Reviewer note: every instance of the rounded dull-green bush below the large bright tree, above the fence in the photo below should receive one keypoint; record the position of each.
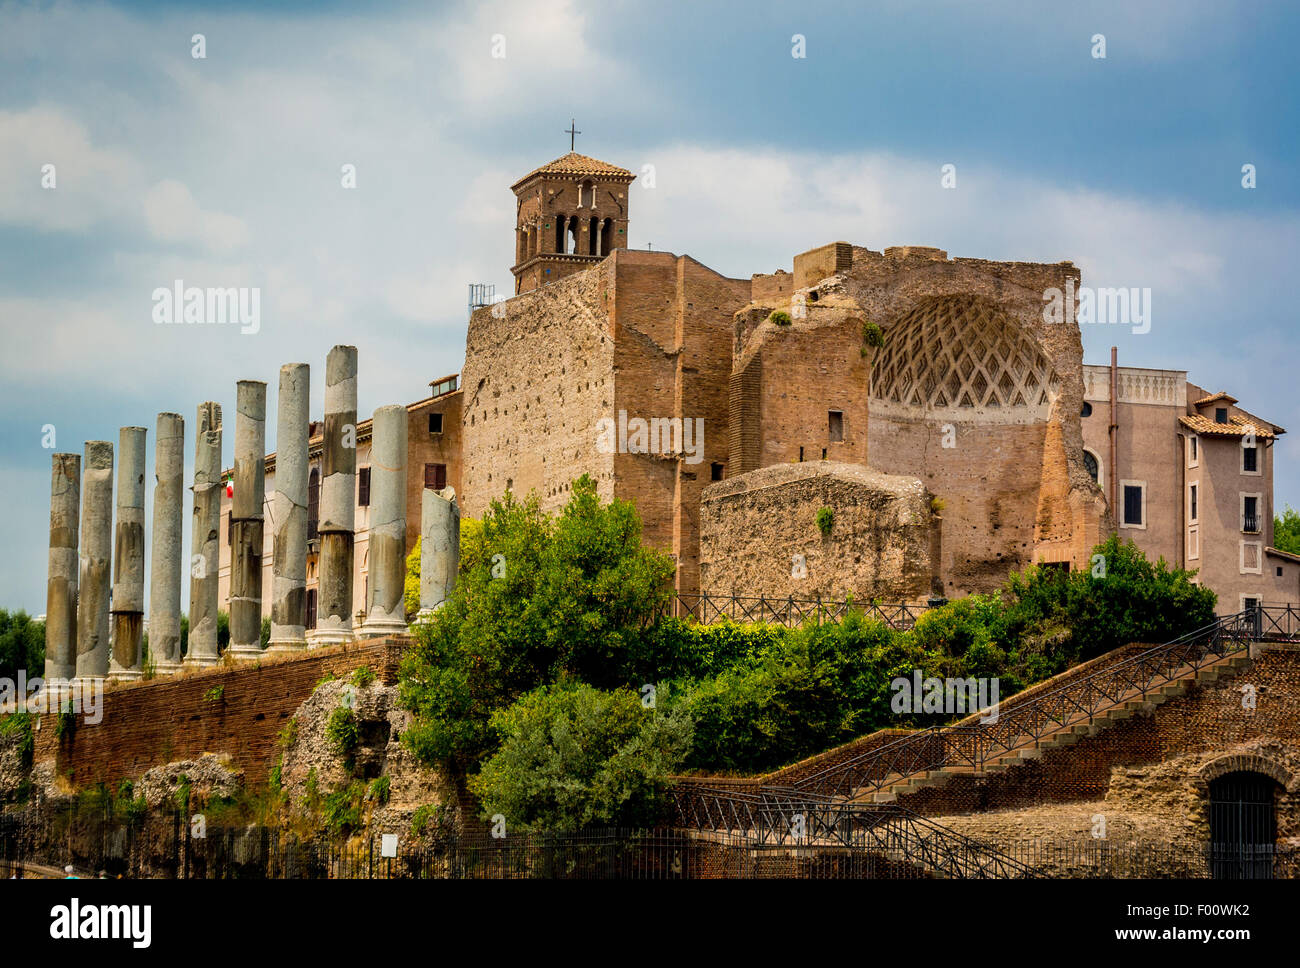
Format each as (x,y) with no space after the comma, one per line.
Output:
(574,756)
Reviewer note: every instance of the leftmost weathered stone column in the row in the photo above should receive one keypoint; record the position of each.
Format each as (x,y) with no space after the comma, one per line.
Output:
(62,585)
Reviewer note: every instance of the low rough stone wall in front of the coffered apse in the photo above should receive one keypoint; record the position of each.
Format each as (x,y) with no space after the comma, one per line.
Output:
(879,545)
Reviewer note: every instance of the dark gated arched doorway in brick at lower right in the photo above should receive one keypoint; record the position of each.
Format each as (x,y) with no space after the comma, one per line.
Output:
(1243,826)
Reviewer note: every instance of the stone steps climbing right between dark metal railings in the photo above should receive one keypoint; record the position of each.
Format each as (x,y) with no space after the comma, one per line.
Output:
(1028,748)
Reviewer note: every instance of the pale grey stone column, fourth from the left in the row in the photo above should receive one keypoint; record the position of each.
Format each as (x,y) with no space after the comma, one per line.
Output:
(166,548)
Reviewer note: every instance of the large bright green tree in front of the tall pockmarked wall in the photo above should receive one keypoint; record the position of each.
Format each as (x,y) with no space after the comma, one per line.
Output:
(536,598)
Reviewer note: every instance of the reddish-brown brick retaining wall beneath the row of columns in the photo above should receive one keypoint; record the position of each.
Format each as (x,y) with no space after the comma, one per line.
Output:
(158,722)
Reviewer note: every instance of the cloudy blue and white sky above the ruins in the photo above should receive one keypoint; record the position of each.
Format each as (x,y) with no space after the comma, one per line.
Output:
(228,171)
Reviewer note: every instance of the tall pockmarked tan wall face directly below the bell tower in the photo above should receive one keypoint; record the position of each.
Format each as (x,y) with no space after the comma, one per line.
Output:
(539,376)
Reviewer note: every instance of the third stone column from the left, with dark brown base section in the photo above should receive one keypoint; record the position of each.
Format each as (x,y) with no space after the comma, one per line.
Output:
(128,606)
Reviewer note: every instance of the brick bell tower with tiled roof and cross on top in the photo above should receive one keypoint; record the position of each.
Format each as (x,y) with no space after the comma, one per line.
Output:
(570,215)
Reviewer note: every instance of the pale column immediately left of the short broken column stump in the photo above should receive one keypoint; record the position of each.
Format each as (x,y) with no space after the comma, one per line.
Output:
(385,613)
